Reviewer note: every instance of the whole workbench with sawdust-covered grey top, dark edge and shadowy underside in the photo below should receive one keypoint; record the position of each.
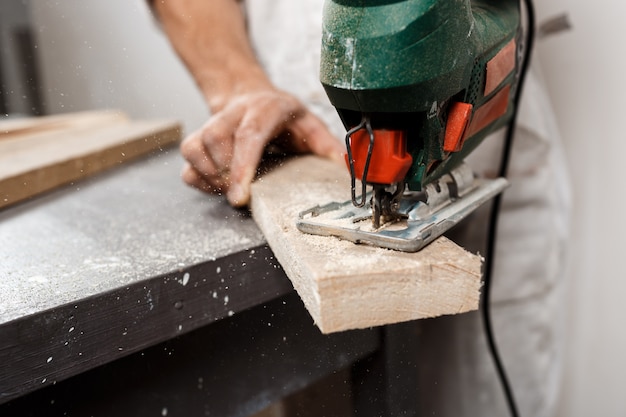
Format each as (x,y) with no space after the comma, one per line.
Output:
(130,294)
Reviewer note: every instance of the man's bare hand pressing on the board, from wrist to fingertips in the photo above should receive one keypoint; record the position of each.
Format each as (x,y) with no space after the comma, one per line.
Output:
(224,154)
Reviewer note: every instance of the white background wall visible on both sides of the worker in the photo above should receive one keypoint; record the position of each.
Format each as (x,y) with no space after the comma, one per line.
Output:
(110,54)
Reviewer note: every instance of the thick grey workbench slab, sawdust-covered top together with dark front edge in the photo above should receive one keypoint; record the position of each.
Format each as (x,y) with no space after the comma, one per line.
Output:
(111,265)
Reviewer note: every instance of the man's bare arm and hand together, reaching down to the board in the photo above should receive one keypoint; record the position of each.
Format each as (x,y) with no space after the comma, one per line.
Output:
(247,110)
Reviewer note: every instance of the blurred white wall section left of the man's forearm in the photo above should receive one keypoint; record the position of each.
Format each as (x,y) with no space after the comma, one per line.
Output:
(111,54)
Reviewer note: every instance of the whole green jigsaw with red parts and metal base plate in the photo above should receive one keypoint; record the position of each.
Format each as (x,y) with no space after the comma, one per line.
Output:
(418,84)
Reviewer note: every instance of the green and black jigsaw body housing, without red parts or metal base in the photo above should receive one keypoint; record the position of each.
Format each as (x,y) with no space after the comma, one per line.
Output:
(403,63)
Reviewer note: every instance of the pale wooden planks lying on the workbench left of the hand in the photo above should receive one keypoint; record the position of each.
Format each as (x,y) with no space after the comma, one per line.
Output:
(45,156)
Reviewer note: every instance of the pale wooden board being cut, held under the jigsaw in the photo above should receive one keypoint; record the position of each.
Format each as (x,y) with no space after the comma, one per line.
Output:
(348,286)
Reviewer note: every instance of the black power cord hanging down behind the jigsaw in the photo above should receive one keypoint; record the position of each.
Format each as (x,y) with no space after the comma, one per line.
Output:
(495,212)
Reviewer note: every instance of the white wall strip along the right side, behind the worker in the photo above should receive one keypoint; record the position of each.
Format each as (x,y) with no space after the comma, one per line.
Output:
(585,70)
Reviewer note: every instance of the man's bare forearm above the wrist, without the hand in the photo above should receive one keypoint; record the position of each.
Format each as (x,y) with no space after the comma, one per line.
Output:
(210,37)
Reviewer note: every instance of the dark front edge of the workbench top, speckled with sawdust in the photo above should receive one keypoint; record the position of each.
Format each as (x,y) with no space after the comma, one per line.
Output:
(55,344)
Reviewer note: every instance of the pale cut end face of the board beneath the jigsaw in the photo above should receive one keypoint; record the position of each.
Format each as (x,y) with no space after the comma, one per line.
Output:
(420,299)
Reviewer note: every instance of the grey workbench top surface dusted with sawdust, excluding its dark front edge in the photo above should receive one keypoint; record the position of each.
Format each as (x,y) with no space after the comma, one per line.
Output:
(124,226)
